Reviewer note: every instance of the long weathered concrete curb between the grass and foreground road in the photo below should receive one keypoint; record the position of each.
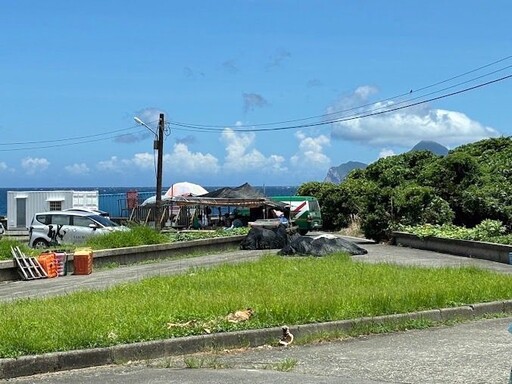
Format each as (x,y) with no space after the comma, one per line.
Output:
(61,361)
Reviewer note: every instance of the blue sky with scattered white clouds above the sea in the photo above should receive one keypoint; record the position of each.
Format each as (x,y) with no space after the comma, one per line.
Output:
(249,89)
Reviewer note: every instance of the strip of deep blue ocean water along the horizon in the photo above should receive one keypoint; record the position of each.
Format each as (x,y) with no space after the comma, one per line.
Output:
(266,190)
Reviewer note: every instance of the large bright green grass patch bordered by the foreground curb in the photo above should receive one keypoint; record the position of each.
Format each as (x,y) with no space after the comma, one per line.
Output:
(280,290)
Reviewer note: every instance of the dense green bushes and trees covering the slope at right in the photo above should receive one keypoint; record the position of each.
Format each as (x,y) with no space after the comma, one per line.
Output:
(471,184)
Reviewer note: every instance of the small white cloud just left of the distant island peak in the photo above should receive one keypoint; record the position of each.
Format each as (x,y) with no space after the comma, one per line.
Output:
(311,152)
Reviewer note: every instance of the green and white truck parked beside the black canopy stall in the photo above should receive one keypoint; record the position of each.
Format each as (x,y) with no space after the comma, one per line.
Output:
(304,212)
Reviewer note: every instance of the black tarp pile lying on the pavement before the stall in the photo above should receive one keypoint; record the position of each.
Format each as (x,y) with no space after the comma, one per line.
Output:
(291,243)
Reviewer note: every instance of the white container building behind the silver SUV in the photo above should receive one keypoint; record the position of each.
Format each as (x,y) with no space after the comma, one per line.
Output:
(22,205)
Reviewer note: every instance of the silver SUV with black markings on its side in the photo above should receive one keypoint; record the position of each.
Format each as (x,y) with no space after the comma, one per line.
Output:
(71,227)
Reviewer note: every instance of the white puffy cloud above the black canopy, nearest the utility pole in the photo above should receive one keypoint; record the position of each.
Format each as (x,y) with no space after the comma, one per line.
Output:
(240,157)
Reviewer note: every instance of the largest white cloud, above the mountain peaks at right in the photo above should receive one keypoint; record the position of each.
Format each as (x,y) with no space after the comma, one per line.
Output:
(407,126)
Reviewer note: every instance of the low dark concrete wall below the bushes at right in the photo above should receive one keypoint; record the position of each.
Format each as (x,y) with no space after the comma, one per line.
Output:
(475,249)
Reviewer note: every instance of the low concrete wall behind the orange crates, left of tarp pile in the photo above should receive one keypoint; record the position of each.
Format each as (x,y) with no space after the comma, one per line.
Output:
(130,255)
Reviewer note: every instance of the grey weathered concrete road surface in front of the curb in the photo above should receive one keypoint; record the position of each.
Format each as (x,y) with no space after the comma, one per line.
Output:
(473,352)
